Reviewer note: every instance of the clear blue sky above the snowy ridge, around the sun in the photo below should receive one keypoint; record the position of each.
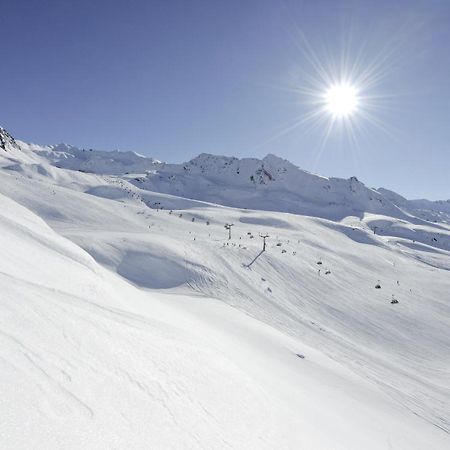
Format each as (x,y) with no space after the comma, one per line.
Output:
(175,78)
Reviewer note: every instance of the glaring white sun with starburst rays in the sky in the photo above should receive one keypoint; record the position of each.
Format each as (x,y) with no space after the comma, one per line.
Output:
(339,92)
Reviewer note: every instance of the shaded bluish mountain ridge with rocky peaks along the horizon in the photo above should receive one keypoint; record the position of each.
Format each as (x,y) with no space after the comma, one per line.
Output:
(269,184)
